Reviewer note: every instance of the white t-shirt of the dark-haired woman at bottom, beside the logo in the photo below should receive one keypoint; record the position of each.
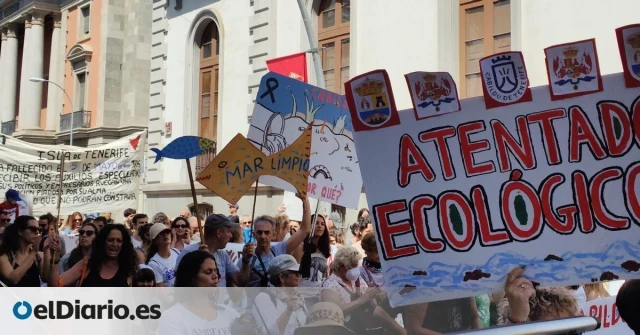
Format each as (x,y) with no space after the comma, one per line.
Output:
(178,320)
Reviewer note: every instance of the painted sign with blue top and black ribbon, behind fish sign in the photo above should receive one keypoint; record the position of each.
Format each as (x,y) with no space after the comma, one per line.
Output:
(284,108)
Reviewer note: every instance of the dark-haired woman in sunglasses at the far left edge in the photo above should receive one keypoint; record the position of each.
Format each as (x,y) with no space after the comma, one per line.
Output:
(21,265)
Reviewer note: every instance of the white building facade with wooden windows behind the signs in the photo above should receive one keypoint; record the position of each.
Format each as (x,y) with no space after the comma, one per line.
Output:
(208,58)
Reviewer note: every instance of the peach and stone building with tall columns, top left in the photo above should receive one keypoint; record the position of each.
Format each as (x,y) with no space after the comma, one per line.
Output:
(92,58)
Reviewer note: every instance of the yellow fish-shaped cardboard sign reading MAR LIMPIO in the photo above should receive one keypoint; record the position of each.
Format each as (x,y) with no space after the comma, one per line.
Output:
(239,165)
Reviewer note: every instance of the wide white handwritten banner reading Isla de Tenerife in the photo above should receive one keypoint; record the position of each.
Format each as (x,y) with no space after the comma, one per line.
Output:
(98,179)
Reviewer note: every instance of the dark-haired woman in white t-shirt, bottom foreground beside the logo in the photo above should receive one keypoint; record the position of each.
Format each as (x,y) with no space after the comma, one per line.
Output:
(195,311)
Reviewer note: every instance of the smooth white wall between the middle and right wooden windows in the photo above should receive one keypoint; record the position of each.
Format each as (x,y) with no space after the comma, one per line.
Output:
(400,39)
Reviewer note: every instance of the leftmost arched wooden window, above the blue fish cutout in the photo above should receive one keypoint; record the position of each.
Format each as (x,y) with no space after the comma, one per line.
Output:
(209,73)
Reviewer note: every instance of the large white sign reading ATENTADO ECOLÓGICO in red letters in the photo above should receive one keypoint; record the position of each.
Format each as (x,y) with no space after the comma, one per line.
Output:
(459,201)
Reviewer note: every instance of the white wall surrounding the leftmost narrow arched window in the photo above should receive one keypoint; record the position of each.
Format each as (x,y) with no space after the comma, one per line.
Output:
(233,21)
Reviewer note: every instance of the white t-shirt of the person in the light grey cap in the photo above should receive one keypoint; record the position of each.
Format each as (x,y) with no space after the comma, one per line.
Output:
(266,315)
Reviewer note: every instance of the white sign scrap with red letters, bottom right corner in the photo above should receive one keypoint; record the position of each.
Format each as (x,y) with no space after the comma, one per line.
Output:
(605,310)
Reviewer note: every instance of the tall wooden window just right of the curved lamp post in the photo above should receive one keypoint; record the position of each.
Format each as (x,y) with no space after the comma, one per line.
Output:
(334,18)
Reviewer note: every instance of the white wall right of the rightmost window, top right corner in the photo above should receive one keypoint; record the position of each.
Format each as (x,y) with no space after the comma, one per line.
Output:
(550,22)
